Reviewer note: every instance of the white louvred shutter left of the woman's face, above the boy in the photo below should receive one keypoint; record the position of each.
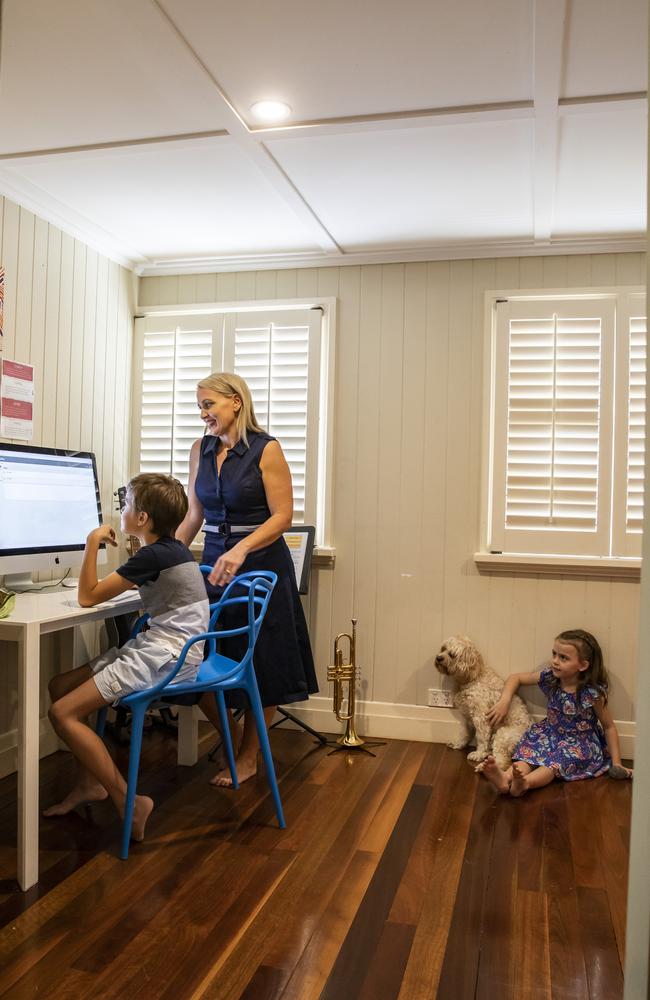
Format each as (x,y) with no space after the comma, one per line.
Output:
(175,354)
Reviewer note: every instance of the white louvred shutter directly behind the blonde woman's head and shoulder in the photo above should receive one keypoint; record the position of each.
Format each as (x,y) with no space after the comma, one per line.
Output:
(277,354)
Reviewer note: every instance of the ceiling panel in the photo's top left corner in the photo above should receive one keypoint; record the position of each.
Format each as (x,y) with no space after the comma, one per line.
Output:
(86,71)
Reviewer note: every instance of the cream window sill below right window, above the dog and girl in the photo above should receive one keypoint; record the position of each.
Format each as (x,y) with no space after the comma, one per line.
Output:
(508,564)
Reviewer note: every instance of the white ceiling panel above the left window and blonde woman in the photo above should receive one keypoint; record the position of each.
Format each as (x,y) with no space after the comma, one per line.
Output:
(178,200)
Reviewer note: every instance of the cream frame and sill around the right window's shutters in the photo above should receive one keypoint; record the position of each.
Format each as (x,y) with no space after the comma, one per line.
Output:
(490,558)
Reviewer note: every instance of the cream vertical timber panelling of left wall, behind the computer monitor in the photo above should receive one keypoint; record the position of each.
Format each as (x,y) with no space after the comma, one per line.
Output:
(69,312)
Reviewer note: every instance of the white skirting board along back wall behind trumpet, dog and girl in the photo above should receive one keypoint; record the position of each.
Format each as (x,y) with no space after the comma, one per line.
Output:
(408,722)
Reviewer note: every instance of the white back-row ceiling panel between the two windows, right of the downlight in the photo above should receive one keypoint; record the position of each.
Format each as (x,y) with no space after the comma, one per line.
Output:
(397,188)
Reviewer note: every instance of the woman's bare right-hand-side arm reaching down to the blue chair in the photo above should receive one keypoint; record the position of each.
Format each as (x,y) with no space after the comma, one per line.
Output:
(279,496)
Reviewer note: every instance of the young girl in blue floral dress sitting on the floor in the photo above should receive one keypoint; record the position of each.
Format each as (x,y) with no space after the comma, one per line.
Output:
(578,738)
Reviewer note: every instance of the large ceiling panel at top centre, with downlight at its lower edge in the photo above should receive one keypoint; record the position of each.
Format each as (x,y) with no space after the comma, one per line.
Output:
(330,60)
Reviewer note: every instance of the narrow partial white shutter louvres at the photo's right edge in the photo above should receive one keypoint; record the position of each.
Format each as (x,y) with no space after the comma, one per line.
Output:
(636,423)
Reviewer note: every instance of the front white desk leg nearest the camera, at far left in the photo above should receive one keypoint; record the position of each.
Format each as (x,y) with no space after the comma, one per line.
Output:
(28,755)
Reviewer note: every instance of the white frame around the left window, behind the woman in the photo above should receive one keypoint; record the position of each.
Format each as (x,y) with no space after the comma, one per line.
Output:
(321,436)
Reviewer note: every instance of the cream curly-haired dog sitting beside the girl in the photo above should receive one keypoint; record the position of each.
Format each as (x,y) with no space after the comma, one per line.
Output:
(479,688)
